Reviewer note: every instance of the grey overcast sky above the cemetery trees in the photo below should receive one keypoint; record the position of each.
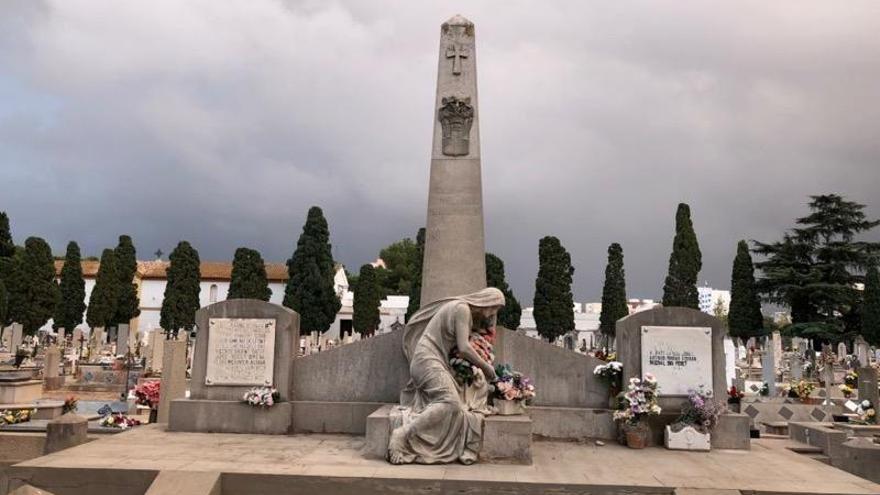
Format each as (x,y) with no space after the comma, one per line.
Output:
(222,122)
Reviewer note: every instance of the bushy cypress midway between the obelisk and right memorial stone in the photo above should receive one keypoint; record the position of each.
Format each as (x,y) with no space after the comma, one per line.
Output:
(554,303)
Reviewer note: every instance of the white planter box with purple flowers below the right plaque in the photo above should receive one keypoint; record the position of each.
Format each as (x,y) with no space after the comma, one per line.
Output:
(691,431)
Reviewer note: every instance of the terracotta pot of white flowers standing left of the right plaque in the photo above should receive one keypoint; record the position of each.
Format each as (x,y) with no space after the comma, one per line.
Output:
(634,406)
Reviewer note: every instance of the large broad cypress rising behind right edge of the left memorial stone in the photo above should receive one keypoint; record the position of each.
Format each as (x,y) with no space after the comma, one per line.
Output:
(310,290)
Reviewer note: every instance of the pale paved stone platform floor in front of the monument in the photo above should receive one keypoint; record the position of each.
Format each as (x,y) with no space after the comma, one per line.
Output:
(768,467)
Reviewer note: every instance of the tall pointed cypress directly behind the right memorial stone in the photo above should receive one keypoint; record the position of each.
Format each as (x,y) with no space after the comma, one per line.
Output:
(685,263)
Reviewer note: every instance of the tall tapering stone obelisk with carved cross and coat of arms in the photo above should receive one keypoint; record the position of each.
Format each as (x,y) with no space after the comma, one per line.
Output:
(455,259)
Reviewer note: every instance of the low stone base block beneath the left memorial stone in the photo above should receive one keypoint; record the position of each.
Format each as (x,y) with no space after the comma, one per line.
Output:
(216,416)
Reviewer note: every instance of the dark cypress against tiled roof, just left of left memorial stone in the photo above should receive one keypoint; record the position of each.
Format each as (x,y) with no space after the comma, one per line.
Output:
(181,299)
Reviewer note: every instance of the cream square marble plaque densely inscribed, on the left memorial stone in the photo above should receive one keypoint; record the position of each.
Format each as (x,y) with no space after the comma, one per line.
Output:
(241,351)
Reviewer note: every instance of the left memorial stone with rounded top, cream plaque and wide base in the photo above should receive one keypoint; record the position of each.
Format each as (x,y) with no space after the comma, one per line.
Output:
(240,344)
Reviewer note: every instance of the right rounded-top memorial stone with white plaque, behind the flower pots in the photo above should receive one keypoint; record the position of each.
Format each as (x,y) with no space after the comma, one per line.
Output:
(684,349)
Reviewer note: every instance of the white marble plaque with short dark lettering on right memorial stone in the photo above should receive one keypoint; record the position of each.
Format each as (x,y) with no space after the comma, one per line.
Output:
(680,358)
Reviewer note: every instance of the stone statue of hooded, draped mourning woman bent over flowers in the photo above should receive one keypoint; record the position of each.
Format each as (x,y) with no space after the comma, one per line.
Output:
(440,420)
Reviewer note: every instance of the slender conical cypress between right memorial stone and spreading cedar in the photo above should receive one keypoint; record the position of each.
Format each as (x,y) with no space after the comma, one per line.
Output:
(744,320)
